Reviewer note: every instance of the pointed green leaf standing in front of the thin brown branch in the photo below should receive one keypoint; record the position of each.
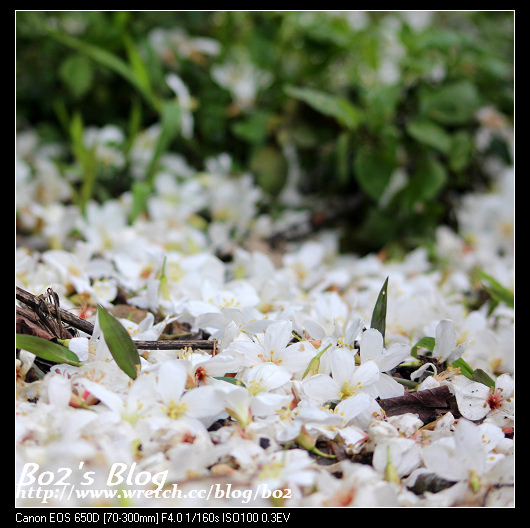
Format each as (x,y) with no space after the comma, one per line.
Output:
(120,344)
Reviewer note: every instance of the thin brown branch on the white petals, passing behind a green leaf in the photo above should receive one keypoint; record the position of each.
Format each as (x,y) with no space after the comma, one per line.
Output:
(33,302)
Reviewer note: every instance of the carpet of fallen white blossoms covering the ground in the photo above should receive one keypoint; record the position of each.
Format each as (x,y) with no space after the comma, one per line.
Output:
(290,400)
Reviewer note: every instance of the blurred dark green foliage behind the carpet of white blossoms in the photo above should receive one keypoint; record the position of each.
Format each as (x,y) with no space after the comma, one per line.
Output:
(361,96)
